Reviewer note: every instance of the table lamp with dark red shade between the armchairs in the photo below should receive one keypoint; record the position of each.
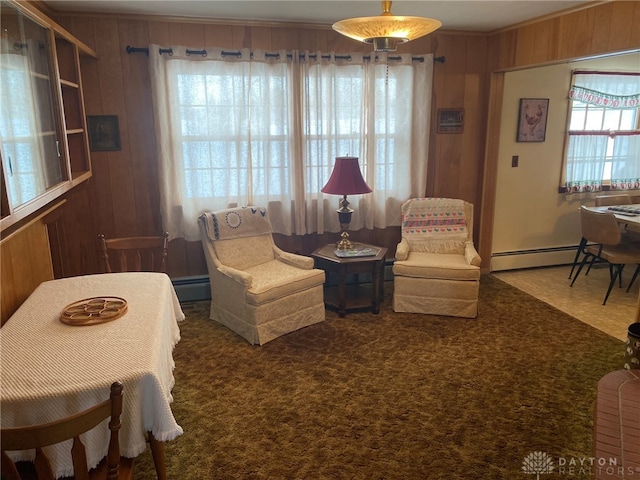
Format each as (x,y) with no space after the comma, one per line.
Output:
(346,179)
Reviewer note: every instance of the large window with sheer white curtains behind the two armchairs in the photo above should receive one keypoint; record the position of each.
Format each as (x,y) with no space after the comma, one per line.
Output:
(258,128)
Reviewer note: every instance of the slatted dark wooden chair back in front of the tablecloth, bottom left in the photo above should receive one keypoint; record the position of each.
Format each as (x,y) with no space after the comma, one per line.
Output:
(39,436)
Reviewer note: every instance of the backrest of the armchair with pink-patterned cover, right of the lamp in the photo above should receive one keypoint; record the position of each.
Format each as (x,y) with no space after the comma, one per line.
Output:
(441,225)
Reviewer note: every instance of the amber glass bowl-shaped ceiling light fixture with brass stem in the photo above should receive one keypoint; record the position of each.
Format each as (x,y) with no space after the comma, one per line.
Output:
(386,31)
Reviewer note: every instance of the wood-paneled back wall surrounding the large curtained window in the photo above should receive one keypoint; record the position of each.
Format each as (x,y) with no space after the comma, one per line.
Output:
(122,197)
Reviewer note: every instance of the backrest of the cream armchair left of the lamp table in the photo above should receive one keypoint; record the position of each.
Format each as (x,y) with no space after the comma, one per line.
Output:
(239,237)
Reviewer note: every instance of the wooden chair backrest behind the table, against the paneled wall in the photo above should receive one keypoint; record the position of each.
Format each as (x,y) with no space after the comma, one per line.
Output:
(134,254)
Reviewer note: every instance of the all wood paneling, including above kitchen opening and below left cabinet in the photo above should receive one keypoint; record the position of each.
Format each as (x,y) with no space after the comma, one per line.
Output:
(122,196)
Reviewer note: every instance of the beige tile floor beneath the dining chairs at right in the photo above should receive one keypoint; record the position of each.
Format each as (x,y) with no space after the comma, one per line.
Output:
(584,300)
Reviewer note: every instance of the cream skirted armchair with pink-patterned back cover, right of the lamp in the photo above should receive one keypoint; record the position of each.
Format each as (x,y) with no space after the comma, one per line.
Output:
(437,268)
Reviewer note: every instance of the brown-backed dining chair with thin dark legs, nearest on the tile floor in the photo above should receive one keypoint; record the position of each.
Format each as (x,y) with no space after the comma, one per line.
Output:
(604,242)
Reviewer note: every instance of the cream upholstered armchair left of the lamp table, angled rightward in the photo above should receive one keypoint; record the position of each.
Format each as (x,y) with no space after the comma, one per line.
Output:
(257,290)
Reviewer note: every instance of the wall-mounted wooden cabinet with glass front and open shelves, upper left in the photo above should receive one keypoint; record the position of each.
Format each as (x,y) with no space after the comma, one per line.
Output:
(55,75)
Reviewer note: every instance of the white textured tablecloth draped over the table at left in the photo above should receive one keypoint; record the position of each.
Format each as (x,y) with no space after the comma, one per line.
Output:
(50,370)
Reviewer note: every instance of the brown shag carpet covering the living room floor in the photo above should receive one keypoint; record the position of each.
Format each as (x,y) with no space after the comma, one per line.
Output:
(388,396)
